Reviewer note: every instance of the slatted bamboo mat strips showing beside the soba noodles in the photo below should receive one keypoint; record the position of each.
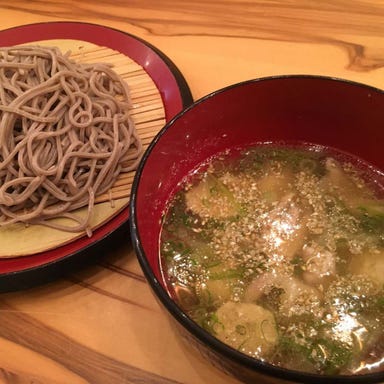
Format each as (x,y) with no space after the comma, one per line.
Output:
(148,113)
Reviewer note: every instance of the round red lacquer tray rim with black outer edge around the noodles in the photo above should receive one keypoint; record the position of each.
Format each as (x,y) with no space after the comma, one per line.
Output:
(22,272)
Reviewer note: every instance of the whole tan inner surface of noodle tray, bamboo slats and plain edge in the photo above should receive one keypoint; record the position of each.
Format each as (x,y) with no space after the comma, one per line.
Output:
(148,115)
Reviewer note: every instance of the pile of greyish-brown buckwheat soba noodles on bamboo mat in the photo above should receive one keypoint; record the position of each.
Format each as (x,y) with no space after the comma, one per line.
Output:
(65,136)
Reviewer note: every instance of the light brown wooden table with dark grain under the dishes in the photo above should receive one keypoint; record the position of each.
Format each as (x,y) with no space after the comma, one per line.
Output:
(101,324)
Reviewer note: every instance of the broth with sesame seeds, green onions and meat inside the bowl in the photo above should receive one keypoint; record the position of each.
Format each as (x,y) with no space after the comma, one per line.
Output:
(279,253)
